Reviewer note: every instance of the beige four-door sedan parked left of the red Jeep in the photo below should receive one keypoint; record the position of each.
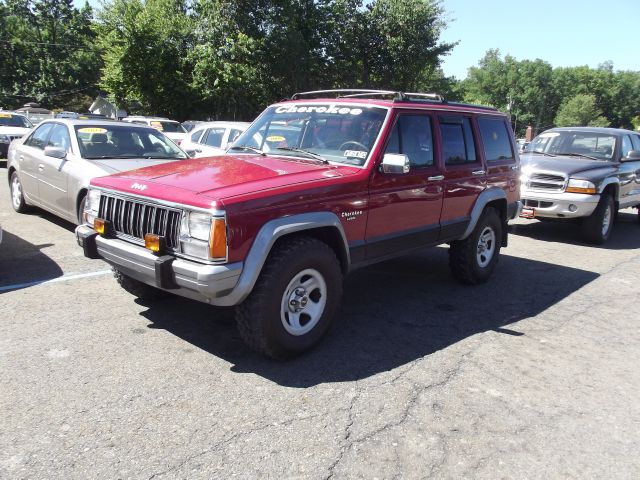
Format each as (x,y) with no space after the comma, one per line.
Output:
(51,167)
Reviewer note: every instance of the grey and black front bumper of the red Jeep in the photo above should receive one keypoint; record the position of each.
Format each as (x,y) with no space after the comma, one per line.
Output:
(212,284)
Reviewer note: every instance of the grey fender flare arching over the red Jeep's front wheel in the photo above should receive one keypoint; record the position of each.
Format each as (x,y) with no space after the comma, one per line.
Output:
(267,236)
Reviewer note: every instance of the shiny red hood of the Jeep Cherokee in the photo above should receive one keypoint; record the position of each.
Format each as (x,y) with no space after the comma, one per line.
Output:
(204,181)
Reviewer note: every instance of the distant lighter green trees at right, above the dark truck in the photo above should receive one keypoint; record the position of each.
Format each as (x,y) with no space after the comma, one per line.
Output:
(536,94)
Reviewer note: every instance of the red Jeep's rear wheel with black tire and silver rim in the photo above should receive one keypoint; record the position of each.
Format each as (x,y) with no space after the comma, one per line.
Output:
(473,259)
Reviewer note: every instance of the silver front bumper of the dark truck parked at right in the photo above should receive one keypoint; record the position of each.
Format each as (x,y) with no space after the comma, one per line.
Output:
(559,205)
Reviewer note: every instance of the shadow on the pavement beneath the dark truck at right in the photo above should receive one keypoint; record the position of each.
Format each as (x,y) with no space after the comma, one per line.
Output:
(625,234)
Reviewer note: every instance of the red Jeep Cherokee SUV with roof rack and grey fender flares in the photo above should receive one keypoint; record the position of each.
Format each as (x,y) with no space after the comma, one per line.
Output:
(317,186)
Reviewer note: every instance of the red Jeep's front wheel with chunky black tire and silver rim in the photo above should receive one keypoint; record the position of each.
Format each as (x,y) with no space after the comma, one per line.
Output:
(294,300)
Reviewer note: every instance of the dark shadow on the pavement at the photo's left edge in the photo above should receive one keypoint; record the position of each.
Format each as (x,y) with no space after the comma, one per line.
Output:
(23,264)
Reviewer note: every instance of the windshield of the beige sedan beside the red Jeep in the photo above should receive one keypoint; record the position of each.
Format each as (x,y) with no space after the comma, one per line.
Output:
(125,141)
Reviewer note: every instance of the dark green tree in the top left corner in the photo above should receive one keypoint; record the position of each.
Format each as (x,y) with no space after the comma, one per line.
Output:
(47,52)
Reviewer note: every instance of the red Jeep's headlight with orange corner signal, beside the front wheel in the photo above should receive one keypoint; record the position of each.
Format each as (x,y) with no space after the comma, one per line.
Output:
(204,236)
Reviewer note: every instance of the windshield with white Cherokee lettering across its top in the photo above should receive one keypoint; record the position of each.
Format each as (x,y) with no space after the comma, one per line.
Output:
(334,132)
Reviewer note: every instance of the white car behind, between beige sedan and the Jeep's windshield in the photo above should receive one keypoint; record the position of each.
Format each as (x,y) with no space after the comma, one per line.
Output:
(212,138)
